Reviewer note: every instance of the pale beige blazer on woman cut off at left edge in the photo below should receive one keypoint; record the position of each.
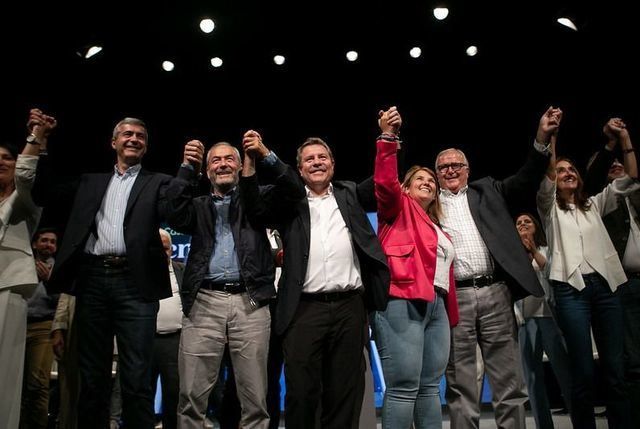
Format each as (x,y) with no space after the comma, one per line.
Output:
(19,217)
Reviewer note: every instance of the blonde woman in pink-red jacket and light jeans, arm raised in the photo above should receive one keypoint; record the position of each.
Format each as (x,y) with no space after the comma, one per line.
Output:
(413,333)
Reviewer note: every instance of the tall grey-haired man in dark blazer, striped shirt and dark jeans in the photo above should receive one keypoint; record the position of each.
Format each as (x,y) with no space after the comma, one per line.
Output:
(111,258)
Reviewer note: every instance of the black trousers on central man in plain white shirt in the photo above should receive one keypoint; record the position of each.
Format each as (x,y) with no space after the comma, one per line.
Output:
(324,368)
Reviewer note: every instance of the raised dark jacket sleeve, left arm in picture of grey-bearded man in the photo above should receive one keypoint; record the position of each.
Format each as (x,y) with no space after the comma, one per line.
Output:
(178,201)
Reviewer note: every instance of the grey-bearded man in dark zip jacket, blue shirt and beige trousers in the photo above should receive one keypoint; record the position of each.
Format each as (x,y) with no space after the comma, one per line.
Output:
(227,284)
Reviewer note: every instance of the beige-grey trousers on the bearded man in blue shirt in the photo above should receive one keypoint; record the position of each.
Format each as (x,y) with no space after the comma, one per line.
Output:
(215,319)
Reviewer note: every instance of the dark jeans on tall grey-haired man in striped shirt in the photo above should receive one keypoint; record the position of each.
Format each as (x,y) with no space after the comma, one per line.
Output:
(108,304)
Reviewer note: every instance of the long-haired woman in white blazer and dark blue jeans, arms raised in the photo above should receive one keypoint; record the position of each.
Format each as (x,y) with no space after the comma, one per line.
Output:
(585,272)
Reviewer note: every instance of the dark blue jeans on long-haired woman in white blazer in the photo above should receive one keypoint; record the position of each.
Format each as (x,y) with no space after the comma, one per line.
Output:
(597,308)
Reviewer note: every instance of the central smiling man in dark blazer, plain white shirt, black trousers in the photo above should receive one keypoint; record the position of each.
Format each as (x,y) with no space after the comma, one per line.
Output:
(334,271)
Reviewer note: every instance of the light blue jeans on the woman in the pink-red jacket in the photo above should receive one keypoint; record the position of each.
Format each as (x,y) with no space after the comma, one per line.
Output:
(413,342)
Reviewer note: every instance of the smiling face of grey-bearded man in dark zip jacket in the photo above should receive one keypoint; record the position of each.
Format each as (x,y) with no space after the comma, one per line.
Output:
(223,168)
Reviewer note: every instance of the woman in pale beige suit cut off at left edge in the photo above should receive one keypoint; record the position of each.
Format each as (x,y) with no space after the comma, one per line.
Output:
(19,217)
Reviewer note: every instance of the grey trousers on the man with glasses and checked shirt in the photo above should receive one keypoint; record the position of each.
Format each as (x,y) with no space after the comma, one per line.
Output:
(487,320)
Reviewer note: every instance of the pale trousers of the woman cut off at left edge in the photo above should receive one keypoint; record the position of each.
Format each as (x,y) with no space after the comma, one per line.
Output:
(13,337)
